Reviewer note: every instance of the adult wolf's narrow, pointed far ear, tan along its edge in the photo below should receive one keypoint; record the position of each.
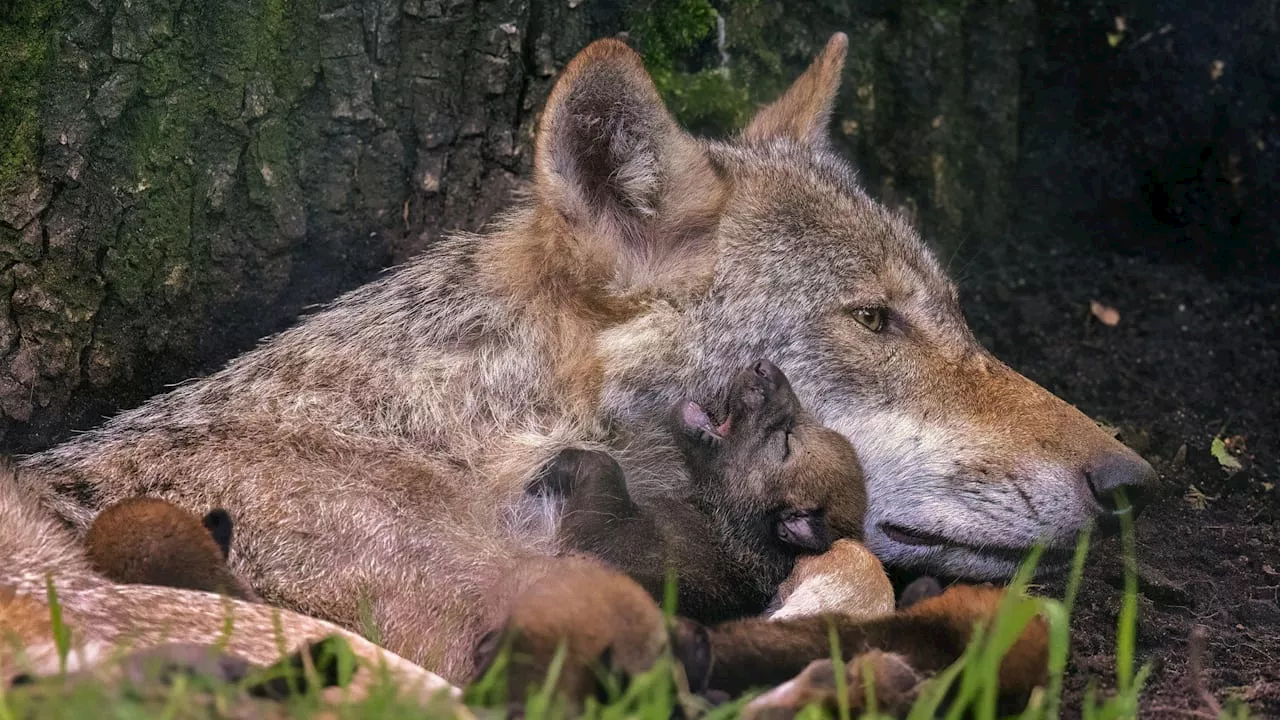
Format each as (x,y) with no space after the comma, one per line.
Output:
(804,110)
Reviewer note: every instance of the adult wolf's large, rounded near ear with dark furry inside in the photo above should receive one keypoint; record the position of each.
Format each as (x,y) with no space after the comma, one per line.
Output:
(611,161)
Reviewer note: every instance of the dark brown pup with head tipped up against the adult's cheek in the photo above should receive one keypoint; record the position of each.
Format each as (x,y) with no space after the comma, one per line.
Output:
(767,485)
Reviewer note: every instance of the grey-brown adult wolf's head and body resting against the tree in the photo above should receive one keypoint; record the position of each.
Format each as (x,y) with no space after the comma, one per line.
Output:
(381,449)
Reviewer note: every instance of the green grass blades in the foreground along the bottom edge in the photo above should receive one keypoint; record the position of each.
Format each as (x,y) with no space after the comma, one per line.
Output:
(968,689)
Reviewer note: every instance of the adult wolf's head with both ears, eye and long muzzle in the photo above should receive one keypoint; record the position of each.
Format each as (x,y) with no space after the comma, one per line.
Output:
(766,247)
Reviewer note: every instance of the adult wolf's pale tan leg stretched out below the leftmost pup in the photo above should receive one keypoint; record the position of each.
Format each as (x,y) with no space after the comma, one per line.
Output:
(39,558)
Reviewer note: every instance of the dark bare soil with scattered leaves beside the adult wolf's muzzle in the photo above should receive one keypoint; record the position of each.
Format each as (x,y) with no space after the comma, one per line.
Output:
(1195,356)
